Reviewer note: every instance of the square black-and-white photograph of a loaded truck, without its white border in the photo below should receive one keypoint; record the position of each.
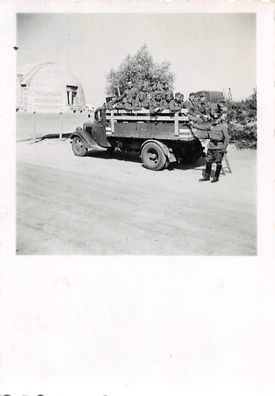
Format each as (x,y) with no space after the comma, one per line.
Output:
(136,134)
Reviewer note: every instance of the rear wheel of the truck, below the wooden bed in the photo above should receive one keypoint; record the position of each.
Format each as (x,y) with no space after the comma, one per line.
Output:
(153,157)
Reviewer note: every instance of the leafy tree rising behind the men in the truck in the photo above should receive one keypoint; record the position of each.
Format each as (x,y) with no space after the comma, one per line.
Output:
(138,68)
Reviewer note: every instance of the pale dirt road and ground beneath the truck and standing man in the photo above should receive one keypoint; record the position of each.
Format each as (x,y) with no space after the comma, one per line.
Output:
(104,204)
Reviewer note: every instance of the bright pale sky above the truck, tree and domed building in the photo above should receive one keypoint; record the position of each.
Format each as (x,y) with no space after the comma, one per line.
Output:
(206,51)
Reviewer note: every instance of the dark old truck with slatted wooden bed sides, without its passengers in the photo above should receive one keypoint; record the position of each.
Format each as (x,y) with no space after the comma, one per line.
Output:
(159,138)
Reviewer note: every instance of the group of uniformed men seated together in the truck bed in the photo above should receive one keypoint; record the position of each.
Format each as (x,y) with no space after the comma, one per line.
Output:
(156,98)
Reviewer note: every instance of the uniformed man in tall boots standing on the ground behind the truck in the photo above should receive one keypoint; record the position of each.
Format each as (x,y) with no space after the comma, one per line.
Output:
(219,139)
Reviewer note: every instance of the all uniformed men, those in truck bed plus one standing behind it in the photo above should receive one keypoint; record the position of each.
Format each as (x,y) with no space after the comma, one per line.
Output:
(203,116)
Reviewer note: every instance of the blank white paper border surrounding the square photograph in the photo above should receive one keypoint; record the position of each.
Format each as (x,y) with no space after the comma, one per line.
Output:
(138,325)
